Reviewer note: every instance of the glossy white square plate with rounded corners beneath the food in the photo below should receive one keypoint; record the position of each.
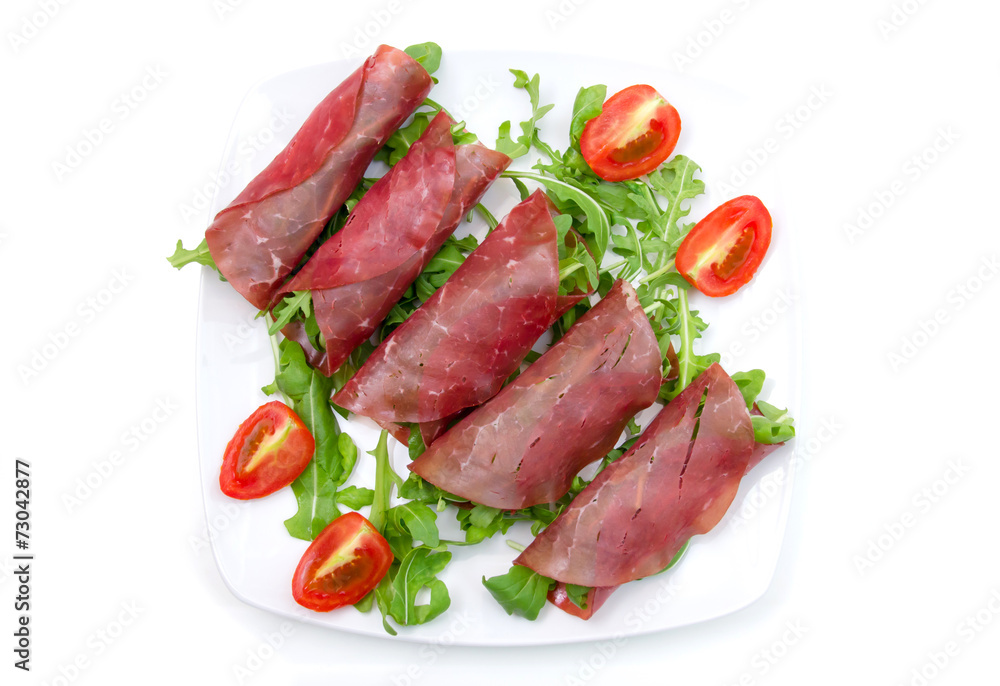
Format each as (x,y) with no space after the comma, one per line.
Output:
(722,571)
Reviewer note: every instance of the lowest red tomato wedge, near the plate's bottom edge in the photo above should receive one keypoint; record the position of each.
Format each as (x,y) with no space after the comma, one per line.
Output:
(340,567)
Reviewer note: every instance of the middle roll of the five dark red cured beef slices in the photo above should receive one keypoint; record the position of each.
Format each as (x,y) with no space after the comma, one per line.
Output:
(459,347)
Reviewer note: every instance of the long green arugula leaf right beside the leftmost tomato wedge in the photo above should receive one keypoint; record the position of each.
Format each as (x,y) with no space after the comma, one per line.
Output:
(333,461)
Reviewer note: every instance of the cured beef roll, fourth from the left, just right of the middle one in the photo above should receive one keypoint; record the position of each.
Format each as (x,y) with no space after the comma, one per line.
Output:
(524,446)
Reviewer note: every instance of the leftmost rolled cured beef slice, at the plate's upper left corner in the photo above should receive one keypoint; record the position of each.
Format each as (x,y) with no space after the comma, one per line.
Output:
(262,235)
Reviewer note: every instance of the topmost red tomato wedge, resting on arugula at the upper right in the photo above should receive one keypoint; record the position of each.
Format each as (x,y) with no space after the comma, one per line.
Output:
(635,132)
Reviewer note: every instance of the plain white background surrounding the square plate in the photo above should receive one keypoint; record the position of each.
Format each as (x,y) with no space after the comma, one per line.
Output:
(124,589)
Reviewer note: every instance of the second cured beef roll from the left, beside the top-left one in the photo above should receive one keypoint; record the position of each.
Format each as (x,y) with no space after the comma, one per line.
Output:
(393,232)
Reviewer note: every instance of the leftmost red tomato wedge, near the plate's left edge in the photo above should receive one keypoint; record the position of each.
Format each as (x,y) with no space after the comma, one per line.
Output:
(269,451)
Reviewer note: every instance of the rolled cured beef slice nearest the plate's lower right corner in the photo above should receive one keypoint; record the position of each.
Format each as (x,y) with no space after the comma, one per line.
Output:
(678,480)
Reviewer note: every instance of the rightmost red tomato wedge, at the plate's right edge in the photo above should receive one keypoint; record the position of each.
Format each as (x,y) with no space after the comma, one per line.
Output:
(722,252)
